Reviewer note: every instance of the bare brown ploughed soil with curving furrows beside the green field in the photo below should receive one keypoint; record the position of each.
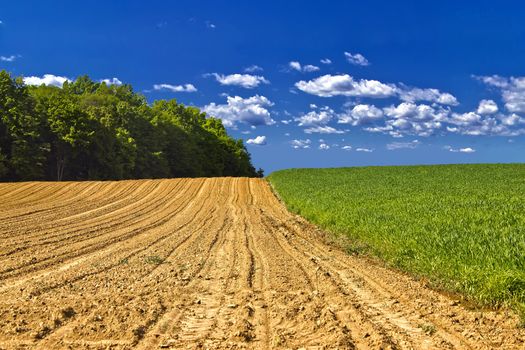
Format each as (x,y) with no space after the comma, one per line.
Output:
(205,263)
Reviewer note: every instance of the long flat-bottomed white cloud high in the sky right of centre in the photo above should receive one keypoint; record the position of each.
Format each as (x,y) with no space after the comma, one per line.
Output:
(345,85)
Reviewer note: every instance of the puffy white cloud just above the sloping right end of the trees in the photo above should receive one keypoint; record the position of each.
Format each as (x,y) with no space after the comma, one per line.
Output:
(252,110)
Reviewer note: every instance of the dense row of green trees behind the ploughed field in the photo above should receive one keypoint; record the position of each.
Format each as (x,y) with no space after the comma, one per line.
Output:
(88,130)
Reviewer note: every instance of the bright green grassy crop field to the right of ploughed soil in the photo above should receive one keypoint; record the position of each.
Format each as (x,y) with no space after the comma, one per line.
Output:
(460,226)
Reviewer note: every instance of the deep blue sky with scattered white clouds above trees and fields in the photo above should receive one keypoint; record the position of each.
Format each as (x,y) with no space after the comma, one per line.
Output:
(306,84)
